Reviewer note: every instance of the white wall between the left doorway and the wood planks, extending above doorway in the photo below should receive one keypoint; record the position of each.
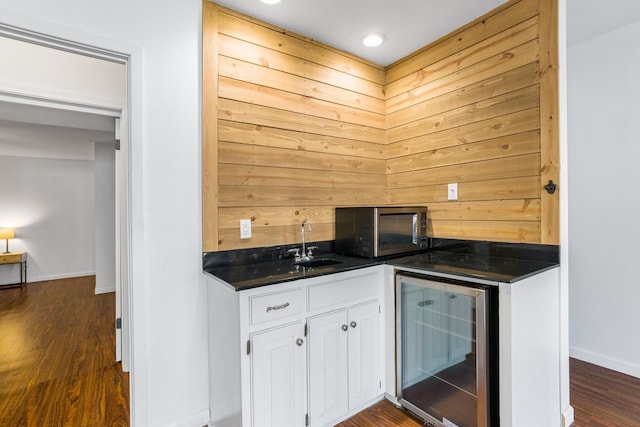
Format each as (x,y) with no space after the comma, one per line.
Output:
(169,352)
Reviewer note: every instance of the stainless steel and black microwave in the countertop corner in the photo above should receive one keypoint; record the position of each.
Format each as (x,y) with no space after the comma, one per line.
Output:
(373,232)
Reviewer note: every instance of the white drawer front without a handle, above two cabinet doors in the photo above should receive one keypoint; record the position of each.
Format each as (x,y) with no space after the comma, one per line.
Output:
(343,291)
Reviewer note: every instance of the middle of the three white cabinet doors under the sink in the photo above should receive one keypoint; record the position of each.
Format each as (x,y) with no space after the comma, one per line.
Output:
(328,387)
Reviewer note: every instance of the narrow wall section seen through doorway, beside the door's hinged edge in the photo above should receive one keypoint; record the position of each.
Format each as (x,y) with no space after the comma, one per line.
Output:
(105,217)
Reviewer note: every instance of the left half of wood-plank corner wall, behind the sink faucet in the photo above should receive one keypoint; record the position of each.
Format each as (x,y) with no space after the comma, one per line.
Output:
(300,130)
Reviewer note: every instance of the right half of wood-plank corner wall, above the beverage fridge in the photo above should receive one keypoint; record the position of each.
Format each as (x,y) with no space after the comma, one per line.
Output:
(467,109)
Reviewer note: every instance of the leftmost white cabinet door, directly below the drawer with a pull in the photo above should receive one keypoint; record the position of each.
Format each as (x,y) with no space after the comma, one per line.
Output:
(278,377)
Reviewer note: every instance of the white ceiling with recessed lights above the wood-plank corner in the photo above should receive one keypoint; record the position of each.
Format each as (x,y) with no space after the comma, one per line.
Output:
(408,24)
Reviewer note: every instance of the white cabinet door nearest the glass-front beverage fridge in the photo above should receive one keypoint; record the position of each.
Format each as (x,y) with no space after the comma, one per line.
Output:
(364,353)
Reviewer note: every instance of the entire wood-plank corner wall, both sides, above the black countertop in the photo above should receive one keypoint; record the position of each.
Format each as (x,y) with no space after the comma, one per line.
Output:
(293,128)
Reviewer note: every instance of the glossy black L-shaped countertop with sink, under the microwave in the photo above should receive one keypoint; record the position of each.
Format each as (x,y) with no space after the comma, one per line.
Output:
(246,269)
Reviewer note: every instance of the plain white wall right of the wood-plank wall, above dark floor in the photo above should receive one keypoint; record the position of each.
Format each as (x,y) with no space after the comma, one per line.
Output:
(604,155)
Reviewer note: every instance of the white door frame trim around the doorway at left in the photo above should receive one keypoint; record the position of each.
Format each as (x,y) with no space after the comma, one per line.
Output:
(46,34)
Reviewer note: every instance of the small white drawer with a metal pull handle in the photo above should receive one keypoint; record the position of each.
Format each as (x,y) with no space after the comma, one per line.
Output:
(276,305)
